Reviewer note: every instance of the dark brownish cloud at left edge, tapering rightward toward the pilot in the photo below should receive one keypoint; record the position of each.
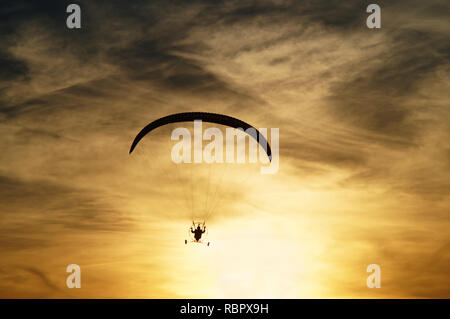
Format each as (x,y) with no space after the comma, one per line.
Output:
(56,204)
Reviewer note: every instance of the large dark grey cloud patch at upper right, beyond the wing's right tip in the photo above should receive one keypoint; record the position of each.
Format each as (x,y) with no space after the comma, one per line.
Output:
(377,98)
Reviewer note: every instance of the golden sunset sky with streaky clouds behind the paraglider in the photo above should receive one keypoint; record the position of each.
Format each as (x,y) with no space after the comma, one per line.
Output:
(364,174)
